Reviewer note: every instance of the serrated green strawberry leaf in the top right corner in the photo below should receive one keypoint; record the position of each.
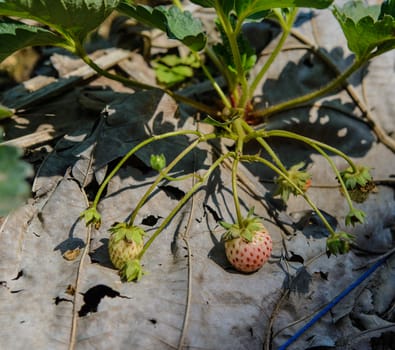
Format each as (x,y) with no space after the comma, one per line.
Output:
(369,30)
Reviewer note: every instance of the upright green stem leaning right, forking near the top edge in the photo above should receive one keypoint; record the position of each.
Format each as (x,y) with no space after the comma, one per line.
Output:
(286,26)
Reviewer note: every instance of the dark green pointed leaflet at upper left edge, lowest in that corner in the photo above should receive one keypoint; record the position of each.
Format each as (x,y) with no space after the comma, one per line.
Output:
(15,36)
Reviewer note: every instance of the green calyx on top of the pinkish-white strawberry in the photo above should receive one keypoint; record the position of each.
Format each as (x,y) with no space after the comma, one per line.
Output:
(246,229)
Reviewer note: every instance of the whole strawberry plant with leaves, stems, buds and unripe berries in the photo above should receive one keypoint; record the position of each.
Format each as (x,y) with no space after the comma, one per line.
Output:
(68,23)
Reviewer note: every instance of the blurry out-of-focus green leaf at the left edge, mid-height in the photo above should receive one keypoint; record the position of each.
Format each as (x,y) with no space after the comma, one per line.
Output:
(13,172)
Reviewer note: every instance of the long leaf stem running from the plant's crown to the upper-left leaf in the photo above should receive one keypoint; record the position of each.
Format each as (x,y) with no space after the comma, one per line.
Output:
(135,84)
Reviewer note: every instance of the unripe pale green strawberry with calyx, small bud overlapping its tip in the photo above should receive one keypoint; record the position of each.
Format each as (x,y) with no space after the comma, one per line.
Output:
(125,245)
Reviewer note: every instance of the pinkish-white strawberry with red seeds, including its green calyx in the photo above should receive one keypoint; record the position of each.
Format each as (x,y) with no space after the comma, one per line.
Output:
(247,246)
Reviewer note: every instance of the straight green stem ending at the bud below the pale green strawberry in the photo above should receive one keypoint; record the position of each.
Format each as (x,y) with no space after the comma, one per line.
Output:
(184,200)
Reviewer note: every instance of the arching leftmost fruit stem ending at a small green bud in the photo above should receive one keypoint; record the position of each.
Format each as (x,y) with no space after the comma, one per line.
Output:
(134,150)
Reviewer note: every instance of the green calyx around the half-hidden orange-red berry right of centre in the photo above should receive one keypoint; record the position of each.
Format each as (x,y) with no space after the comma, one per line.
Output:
(300,178)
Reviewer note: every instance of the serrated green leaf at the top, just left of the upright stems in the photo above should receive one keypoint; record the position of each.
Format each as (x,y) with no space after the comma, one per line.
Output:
(179,25)
